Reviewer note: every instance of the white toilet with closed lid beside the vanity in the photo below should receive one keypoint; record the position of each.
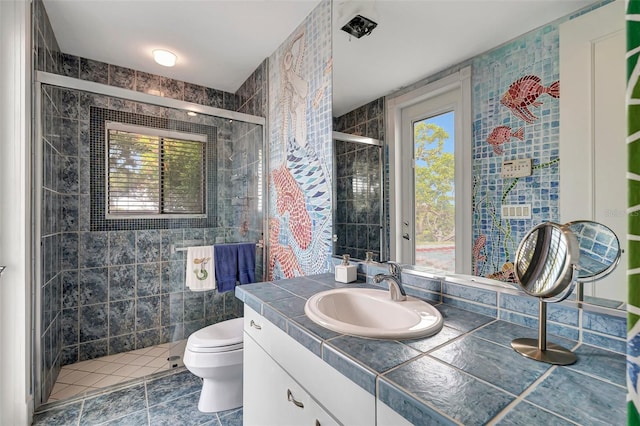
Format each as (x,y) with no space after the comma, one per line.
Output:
(214,353)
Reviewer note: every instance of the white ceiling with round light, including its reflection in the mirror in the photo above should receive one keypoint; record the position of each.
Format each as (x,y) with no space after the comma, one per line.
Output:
(219,43)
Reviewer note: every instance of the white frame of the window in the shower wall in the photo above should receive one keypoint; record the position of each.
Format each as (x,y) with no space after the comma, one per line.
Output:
(161,133)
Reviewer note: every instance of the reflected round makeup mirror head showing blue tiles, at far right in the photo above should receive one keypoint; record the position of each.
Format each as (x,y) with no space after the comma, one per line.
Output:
(600,249)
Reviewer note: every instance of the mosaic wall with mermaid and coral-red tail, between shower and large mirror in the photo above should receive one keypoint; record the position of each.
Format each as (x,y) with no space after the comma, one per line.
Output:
(300,150)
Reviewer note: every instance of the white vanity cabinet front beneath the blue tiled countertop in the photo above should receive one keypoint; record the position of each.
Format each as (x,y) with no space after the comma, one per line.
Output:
(286,384)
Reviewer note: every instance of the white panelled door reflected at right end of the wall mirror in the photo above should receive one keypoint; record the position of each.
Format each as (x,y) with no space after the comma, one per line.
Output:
(593,130)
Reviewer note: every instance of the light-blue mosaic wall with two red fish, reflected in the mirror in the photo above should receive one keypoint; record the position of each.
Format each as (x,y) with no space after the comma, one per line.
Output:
(503,131)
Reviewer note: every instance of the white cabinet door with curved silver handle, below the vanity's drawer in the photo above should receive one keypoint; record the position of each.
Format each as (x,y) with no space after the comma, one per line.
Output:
(272,397)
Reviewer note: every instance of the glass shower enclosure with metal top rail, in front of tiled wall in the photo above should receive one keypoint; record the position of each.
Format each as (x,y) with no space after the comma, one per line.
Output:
(111,286)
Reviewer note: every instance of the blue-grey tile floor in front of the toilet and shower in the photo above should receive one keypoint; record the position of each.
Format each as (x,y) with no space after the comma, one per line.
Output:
(170,399)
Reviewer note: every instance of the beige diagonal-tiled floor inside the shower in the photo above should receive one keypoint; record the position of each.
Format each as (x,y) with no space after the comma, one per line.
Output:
(88,376)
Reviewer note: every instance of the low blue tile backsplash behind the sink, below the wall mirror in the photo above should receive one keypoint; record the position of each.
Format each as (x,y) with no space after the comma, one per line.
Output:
(471,305)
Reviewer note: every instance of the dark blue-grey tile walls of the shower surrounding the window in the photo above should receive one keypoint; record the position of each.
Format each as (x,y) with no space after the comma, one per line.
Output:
(106,274)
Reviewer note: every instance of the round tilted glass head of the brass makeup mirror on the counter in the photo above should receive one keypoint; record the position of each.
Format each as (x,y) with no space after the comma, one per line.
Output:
(545,261)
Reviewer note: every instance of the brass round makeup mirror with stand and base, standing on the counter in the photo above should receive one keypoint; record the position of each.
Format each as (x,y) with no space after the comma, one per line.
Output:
(546,268)
